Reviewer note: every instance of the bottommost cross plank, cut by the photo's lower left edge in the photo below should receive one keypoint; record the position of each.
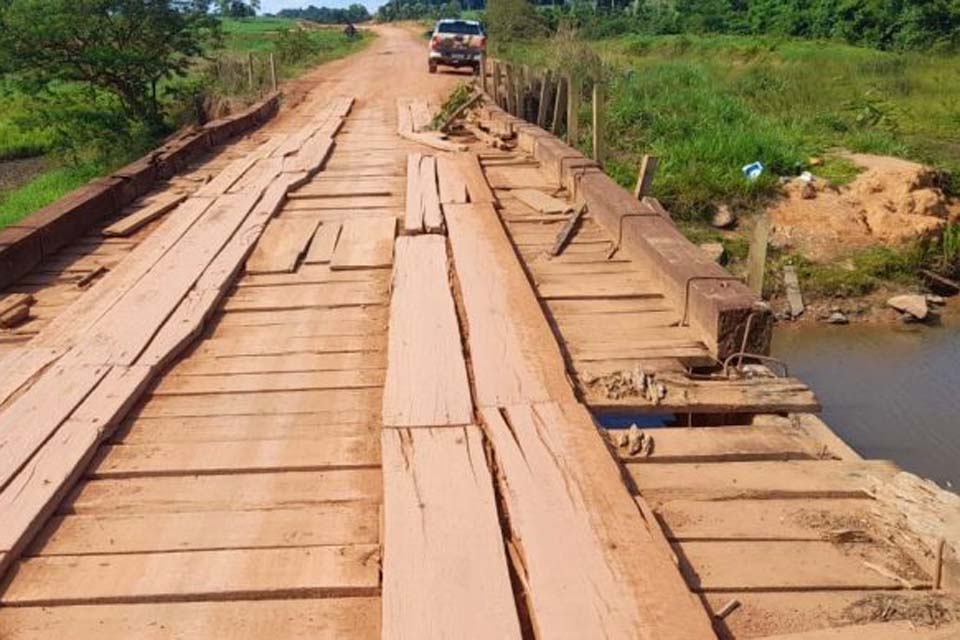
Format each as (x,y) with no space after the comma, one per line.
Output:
(307,619)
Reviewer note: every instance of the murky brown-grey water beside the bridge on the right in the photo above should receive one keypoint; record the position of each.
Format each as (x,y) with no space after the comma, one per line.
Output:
(889,391)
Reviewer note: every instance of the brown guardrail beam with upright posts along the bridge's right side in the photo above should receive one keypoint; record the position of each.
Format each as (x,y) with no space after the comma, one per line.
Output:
(729,316)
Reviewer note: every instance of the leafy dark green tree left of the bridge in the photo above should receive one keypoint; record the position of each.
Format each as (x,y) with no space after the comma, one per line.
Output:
(122,47)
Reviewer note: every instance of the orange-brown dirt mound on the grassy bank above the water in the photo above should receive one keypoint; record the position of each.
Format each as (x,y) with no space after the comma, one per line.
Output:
(893,202)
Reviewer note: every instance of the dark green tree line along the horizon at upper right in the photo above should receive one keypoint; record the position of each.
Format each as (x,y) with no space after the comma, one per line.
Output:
(880,24)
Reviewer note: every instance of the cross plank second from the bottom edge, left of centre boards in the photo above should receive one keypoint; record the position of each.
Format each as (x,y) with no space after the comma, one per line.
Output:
(225,574)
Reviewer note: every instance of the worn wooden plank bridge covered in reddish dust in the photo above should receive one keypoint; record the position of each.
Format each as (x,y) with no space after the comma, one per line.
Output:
(338,378)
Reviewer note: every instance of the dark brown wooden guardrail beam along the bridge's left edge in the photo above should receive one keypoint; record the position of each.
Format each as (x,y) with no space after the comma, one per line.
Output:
(25,244)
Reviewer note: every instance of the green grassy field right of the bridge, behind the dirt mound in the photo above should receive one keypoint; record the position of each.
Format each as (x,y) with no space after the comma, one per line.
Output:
(709,105)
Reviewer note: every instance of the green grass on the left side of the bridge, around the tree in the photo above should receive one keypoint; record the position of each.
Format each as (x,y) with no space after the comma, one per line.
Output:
(259,36)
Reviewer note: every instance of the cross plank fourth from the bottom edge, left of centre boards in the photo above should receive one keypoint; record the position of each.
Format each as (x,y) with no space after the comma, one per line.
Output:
(238,491)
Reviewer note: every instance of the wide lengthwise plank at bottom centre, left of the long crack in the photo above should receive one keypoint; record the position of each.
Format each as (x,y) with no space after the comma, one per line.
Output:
(445,570)
